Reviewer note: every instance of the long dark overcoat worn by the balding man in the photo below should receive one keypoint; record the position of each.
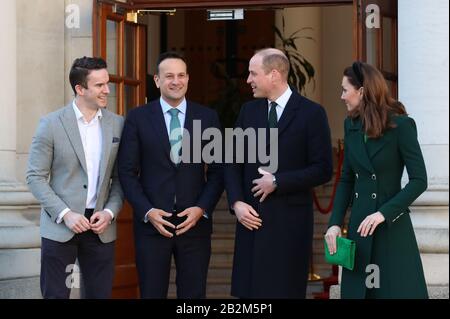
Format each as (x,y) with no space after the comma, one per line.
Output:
(273,261)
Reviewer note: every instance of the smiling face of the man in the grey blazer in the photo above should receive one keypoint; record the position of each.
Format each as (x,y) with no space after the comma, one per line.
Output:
(96,93)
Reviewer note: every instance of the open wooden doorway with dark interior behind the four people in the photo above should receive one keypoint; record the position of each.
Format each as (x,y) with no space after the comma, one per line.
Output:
(217,53)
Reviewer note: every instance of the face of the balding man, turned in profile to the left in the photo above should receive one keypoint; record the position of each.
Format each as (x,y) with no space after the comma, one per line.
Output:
(260,82)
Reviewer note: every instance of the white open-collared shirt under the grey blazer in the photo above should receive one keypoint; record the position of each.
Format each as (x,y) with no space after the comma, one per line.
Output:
(91,138)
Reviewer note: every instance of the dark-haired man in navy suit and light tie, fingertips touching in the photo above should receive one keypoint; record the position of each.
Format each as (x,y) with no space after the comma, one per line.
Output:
(172,194)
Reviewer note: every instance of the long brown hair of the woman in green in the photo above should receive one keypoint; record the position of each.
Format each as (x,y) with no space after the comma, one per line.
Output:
(377,105)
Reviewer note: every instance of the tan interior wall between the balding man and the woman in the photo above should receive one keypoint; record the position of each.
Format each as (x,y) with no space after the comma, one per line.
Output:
(329,53)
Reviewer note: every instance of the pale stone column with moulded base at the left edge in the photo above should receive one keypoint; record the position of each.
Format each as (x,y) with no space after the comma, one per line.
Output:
(19,232)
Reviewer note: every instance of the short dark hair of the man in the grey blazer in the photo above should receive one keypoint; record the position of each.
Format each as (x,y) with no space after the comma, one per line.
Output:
(81,68)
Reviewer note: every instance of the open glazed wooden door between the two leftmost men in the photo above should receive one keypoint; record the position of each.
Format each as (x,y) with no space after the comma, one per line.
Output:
(123,45)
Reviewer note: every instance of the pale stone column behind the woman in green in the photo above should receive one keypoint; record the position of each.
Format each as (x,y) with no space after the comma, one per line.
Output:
(423,88)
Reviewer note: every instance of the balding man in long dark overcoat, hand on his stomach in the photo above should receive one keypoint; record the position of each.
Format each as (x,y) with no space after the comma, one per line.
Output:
(274,210)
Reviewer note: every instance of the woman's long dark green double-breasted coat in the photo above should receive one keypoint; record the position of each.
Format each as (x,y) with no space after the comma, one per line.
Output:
(371,182)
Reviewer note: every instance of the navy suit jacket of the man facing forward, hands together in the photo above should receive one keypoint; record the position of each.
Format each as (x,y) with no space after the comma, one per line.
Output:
(151,180)
